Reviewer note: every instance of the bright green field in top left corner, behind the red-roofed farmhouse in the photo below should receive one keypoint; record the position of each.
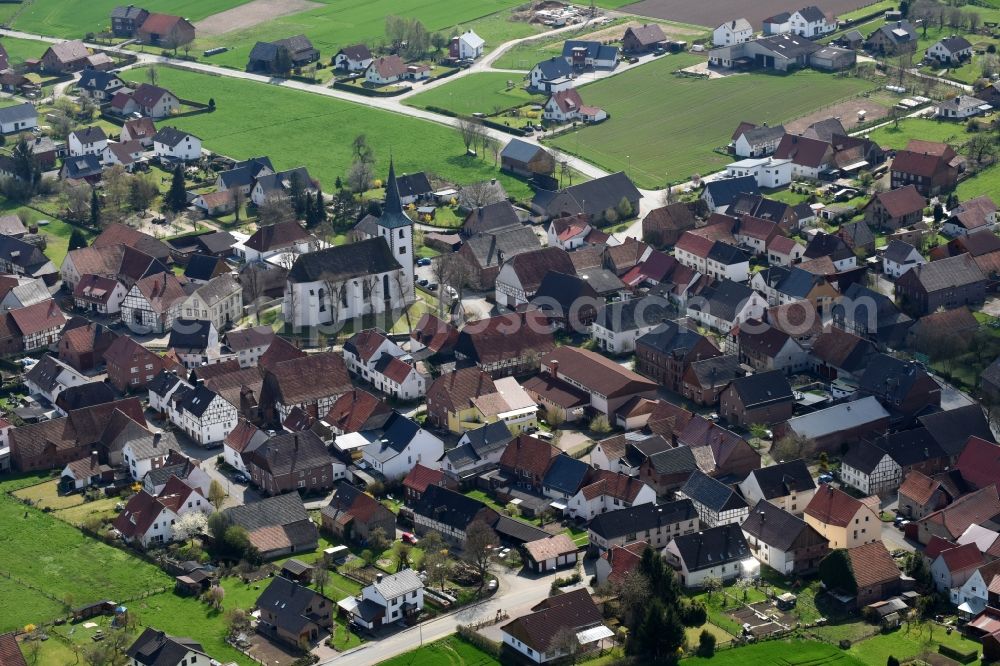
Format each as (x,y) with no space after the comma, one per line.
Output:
(74,19)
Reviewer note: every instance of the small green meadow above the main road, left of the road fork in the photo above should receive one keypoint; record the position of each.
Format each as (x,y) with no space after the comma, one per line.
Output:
(487,92)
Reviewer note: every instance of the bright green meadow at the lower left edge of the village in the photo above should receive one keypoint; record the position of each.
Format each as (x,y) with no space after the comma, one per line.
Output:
(64,563)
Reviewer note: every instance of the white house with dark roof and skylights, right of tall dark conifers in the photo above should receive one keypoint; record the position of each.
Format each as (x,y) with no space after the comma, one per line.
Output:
(720,552)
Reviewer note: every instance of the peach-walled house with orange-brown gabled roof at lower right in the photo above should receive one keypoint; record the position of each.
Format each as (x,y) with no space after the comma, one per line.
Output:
(845,521)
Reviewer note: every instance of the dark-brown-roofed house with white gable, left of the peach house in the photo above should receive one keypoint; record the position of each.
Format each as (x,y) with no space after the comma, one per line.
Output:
(782,541)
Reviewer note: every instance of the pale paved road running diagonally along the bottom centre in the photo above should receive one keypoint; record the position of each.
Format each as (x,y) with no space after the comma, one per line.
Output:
(516,595)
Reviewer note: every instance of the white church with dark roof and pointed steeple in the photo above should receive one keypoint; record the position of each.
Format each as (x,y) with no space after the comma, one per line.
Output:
(371,276)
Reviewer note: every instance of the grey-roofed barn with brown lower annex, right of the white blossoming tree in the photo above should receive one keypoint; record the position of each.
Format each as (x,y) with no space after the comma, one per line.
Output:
(276,526)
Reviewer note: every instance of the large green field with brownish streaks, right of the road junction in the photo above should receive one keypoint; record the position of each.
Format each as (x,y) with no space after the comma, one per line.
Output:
(665,128)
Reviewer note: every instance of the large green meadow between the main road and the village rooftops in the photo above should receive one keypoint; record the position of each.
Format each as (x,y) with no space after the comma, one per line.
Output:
(296,128)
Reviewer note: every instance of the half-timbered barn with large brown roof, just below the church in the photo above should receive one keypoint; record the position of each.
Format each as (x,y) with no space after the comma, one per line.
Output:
(311,383)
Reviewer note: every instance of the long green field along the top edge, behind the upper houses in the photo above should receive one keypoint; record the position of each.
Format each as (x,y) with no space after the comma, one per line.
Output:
(338,23)
